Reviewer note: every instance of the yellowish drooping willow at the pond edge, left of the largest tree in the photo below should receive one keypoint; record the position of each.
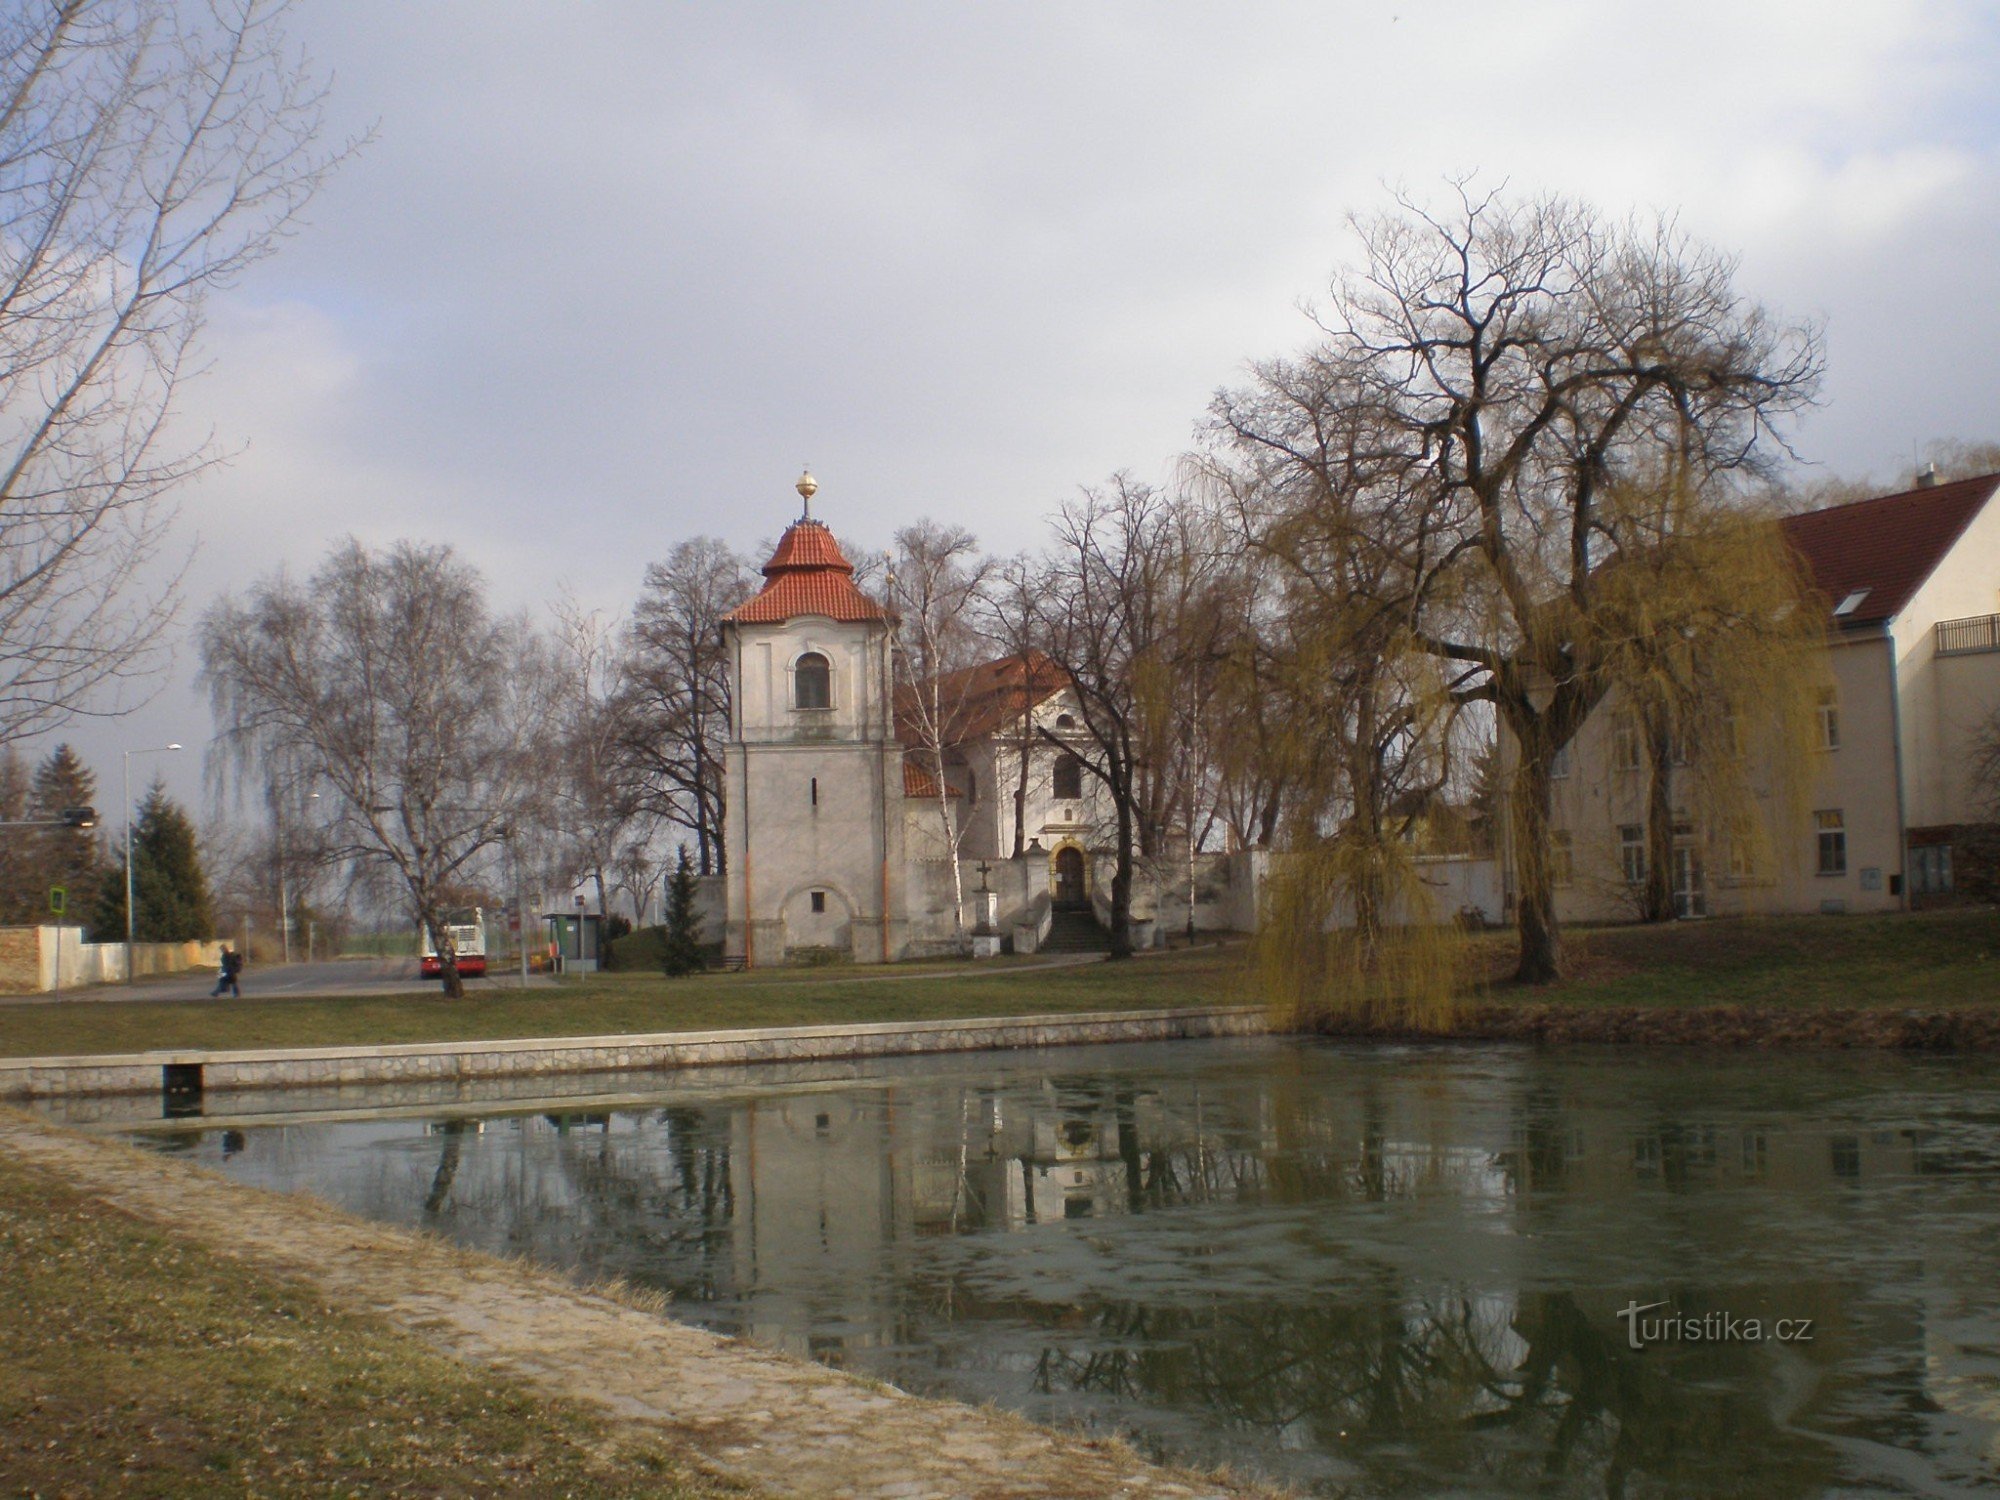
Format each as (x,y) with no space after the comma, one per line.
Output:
(1363,731)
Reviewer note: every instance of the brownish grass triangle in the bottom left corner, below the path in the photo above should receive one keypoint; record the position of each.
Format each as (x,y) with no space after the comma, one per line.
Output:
(133,1363)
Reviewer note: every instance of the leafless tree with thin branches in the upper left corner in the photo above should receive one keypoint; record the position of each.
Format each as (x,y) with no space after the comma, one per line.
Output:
(147,157)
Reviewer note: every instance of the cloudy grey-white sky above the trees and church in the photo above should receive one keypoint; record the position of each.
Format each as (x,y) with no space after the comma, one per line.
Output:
(613,273)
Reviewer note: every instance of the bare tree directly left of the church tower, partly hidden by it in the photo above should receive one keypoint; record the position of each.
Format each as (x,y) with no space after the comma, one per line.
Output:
(677,689)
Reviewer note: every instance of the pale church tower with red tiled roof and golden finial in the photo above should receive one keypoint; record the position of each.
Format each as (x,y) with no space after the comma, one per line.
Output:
(815,777)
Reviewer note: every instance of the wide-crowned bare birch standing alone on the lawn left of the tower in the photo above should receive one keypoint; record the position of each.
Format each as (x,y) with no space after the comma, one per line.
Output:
(387,681)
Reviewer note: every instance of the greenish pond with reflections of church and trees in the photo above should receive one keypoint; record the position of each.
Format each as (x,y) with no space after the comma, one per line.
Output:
(1361,1271)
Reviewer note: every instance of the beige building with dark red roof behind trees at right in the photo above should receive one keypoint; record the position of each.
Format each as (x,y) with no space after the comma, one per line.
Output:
(1913,587)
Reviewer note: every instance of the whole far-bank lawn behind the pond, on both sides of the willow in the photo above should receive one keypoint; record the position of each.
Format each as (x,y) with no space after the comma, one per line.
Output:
(1931,961)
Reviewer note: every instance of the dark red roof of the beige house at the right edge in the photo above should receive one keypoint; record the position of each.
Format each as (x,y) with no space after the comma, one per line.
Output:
(1885,549)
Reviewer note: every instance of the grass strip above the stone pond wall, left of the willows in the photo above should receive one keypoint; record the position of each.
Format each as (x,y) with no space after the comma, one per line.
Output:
(609,1005)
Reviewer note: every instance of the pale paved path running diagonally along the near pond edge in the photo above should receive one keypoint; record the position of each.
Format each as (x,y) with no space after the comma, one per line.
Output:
(783,1425)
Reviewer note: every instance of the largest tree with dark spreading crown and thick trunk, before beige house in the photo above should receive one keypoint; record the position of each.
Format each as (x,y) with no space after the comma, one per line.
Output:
(1523,359)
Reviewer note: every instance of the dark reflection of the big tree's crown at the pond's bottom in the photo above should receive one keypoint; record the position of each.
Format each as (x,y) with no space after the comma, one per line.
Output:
(1427,1393)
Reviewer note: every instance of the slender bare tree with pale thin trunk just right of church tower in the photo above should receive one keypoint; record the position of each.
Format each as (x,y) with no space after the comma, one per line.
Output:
(935,585)
